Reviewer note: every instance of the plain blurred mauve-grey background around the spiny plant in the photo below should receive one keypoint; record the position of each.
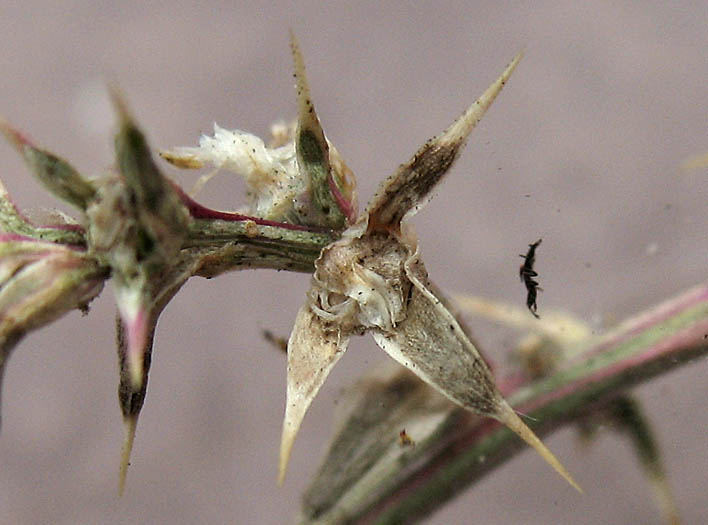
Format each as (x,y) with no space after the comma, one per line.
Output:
(582,149)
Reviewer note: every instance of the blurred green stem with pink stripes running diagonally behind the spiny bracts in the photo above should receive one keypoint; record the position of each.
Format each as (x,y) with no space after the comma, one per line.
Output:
(669,335)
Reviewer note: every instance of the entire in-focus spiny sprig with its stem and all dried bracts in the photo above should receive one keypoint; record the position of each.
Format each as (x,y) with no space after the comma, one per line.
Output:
(142,231)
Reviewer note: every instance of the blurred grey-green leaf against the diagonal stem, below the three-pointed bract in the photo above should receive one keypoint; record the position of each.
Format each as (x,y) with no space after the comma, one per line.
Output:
(367,448)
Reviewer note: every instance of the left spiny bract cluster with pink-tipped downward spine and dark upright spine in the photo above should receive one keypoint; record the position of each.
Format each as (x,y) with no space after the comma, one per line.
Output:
(137,226)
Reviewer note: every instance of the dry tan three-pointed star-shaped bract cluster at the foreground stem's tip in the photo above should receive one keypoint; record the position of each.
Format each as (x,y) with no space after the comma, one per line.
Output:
(373,280)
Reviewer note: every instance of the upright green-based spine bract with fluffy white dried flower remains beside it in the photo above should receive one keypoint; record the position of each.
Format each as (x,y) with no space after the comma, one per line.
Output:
(303,180)
